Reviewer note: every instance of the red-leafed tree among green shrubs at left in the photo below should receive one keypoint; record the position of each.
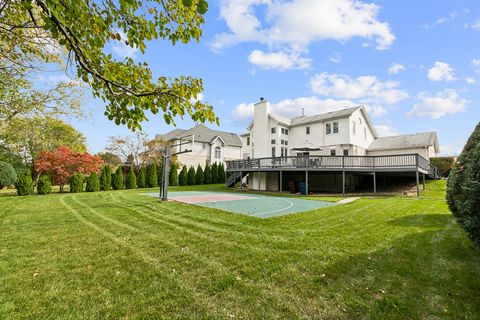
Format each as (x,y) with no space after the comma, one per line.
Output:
(62,163)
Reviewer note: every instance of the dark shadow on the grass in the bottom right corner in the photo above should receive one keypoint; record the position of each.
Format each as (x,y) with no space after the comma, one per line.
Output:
(432,274)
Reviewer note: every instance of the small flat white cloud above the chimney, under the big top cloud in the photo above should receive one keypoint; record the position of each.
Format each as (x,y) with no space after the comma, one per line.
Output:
(278,60)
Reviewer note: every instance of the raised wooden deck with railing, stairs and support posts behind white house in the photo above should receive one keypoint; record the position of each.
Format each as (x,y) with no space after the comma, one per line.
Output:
(401,163)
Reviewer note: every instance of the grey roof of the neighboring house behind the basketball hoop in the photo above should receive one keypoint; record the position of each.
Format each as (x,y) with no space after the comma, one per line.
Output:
(203,134)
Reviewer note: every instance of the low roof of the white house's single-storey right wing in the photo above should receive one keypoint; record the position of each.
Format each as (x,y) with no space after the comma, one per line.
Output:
(405,141)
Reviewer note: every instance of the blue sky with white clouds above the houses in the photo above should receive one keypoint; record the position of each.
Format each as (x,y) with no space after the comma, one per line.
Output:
(415,65)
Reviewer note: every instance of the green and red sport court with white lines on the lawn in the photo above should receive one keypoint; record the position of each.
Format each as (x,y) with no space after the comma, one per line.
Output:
(255,205)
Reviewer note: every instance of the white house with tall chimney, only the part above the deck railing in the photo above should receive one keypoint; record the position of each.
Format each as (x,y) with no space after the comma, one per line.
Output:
(344,132)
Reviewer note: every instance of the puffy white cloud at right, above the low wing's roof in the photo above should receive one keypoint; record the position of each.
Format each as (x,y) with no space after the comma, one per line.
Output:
(439,105)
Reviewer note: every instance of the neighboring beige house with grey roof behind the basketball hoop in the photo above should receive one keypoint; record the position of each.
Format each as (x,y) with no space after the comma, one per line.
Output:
(210,145)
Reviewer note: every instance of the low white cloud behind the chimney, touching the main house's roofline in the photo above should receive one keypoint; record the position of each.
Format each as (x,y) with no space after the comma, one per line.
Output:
(293,107)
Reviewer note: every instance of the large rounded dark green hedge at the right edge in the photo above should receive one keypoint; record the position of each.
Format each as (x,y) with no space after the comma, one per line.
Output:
(463,187)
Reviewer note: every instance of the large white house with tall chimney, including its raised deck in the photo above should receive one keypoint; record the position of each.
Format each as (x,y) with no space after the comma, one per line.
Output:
(326,152)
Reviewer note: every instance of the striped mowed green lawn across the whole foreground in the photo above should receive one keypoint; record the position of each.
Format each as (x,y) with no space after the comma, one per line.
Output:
(119,254)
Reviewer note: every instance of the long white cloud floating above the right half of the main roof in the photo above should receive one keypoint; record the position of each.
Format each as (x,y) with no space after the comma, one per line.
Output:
(367,89)
